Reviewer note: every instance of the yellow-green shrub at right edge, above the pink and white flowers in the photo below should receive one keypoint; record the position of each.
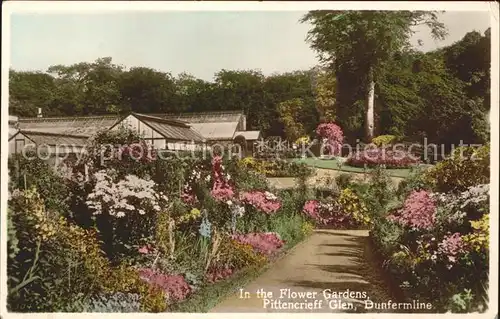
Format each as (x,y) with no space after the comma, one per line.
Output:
(467,166)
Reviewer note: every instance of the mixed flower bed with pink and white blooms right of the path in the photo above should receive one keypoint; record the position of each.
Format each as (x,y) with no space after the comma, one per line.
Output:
(435,245)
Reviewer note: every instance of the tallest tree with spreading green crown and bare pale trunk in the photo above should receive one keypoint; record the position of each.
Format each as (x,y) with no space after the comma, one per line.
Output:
(366,40)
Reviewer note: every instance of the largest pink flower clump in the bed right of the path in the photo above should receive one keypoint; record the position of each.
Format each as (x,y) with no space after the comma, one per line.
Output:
(419,211)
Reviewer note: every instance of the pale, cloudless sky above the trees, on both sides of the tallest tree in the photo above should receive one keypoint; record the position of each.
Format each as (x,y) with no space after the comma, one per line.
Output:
(199,43)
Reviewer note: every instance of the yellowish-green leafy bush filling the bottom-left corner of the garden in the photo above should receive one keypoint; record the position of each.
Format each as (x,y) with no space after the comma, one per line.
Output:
(59,260)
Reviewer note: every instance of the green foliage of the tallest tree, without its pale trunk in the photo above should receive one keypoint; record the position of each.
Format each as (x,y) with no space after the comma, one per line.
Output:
(357,46)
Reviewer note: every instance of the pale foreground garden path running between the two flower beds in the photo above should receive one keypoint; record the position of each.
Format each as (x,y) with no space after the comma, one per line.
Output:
(339,260)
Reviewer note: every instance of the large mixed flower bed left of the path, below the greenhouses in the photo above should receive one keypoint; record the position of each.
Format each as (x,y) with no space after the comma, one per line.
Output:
(152,230)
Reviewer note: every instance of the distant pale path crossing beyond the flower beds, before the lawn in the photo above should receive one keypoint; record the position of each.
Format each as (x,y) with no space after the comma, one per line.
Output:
(318,179)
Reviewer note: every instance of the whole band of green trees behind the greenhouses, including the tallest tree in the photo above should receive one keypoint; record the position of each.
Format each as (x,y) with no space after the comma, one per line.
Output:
(443,95)
